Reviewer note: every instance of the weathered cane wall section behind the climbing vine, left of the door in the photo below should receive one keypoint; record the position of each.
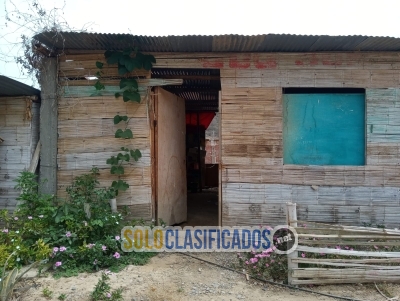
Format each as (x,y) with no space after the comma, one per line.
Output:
(86,131)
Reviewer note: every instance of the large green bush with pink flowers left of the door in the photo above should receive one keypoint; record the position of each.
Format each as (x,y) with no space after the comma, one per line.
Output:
(76,234)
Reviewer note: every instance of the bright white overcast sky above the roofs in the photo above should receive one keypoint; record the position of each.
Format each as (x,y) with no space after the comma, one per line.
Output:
(208,17)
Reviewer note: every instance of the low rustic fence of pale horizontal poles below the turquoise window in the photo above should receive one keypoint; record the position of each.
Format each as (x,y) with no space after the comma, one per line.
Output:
(329,254)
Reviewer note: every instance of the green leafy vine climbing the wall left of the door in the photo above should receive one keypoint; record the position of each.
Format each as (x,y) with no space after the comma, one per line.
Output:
(127,61)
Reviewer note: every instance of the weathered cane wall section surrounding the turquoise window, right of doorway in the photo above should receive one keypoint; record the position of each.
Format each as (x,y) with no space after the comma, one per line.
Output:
(256,184)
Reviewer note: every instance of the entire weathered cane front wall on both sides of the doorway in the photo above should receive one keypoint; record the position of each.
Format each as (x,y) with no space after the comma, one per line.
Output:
(255,183)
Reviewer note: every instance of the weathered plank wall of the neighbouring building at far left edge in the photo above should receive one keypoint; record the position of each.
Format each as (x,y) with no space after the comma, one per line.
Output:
(19,128)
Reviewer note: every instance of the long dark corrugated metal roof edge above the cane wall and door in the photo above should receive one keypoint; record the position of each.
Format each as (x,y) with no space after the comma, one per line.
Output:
(217,43)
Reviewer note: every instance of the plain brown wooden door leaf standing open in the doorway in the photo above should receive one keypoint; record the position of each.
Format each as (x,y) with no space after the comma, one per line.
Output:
(171,195)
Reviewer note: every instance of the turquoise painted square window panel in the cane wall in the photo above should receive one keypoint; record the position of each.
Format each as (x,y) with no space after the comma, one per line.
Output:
(324,129)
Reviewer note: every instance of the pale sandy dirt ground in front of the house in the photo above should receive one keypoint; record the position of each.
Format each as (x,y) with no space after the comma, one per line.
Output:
(179,277)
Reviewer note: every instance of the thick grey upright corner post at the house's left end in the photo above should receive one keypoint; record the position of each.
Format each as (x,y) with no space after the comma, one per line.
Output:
(48,127)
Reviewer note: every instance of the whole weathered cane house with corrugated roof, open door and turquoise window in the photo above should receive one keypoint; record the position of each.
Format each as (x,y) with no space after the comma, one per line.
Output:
(313,120)
